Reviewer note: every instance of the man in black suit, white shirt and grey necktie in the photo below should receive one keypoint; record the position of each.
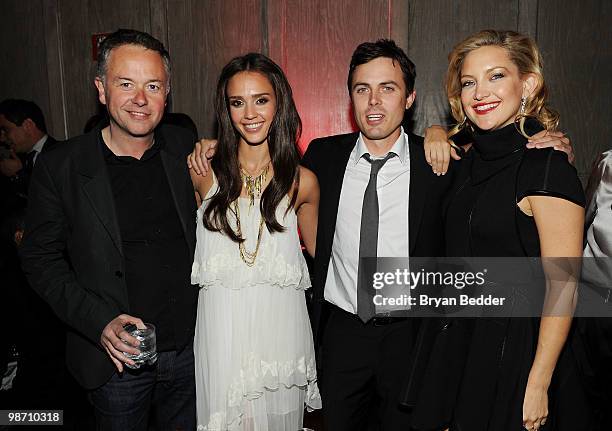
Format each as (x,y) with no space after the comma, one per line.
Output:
(365,357)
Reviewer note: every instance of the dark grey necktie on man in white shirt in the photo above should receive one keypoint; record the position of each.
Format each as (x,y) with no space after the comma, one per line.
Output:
(368,242)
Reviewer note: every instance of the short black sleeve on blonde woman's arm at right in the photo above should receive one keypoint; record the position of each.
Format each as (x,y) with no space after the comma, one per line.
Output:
(547,172)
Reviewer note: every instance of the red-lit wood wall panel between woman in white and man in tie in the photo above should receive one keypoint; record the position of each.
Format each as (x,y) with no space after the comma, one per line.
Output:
(313,41)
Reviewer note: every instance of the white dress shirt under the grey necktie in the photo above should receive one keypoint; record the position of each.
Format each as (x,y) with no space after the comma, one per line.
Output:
(393,185)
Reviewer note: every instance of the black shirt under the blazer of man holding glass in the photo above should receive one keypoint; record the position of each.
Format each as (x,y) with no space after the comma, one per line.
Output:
(157,262)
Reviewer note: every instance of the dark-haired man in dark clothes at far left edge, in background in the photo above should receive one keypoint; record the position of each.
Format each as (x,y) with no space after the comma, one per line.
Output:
(40,373)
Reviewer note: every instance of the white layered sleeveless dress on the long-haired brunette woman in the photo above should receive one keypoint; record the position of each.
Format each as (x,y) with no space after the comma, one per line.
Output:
(254,356)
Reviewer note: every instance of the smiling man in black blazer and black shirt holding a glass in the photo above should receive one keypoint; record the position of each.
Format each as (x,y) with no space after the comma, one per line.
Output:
(109,241)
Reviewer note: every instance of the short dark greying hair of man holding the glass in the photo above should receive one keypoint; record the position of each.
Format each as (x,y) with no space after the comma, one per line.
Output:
(129,37)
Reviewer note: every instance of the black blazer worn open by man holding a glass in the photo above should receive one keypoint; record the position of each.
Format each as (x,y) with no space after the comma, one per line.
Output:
(71,250)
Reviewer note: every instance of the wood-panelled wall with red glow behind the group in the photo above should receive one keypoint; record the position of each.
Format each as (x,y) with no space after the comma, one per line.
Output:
(45,53)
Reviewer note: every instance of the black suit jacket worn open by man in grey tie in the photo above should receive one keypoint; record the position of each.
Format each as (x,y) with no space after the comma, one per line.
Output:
(327,158)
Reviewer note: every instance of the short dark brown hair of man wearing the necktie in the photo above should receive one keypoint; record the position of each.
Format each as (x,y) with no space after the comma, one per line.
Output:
(387,48)
